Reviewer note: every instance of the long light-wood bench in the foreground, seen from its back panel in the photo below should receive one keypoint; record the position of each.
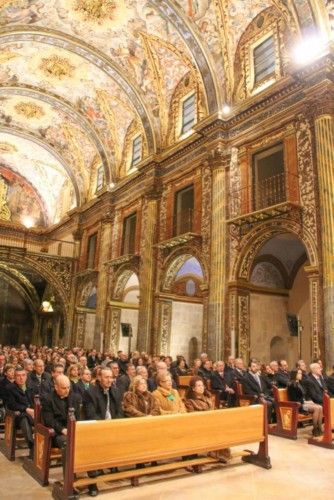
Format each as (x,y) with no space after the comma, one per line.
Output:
(98,445)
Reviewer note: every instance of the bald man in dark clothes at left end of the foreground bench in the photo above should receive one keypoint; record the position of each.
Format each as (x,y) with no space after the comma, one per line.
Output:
(55,406)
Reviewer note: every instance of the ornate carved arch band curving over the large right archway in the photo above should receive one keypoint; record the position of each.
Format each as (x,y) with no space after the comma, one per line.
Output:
(253,241)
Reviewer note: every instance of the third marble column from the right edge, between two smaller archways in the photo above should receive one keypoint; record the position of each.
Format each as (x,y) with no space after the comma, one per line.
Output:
(146,273)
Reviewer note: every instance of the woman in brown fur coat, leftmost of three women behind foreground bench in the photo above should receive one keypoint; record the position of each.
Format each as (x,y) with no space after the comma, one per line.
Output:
(138,401)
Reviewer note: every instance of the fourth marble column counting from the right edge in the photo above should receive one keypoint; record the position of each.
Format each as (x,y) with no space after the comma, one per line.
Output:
(102,282)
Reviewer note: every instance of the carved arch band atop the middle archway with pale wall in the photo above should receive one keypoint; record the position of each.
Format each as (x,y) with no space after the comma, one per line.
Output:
(173,264)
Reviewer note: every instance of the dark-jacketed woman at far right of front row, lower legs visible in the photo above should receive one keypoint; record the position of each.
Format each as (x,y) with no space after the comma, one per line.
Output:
(296,392)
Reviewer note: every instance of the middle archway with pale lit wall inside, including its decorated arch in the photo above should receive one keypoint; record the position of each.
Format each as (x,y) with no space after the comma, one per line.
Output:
(181,308)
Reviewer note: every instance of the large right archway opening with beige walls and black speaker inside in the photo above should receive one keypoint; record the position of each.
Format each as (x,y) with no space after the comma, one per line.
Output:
(279,298)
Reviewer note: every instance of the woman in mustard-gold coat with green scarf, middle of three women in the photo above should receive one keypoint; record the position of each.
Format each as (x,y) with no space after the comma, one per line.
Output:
(168,399)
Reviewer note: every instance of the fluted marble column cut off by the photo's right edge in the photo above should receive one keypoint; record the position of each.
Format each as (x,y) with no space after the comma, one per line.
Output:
(324,133)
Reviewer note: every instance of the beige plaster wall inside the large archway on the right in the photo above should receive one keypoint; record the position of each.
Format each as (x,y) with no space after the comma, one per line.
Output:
(268,320)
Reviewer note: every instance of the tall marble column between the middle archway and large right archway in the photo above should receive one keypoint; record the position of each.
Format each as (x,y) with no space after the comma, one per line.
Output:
(217,280)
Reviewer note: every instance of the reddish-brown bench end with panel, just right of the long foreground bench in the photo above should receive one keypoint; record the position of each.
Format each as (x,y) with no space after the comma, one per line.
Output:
(287,415)
